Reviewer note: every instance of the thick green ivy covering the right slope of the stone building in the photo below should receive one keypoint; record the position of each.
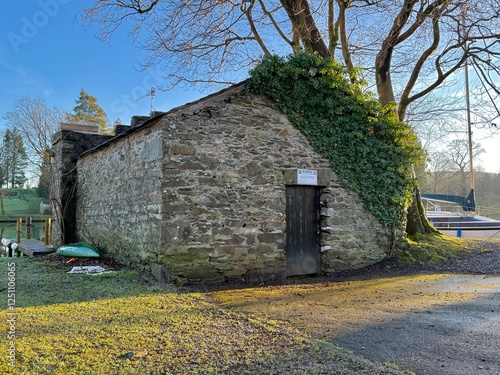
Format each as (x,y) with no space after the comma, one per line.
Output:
(370,151)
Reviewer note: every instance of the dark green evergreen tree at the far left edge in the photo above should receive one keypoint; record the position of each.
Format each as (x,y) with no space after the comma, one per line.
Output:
(14,160)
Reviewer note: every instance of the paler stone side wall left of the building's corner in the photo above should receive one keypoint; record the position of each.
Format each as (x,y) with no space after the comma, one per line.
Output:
(119,197)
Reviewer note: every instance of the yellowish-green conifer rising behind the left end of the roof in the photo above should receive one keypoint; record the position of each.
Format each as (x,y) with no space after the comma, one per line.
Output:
(87,111)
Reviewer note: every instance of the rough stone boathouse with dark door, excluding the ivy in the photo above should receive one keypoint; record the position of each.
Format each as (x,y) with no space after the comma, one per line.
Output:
(221,189)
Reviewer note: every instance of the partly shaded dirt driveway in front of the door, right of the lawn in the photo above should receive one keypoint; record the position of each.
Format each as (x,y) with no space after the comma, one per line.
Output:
(428,321)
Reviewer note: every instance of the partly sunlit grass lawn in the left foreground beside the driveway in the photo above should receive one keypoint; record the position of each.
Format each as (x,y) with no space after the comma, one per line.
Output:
(121,323)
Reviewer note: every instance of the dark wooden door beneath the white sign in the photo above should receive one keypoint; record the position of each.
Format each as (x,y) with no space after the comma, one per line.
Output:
(302,247)
